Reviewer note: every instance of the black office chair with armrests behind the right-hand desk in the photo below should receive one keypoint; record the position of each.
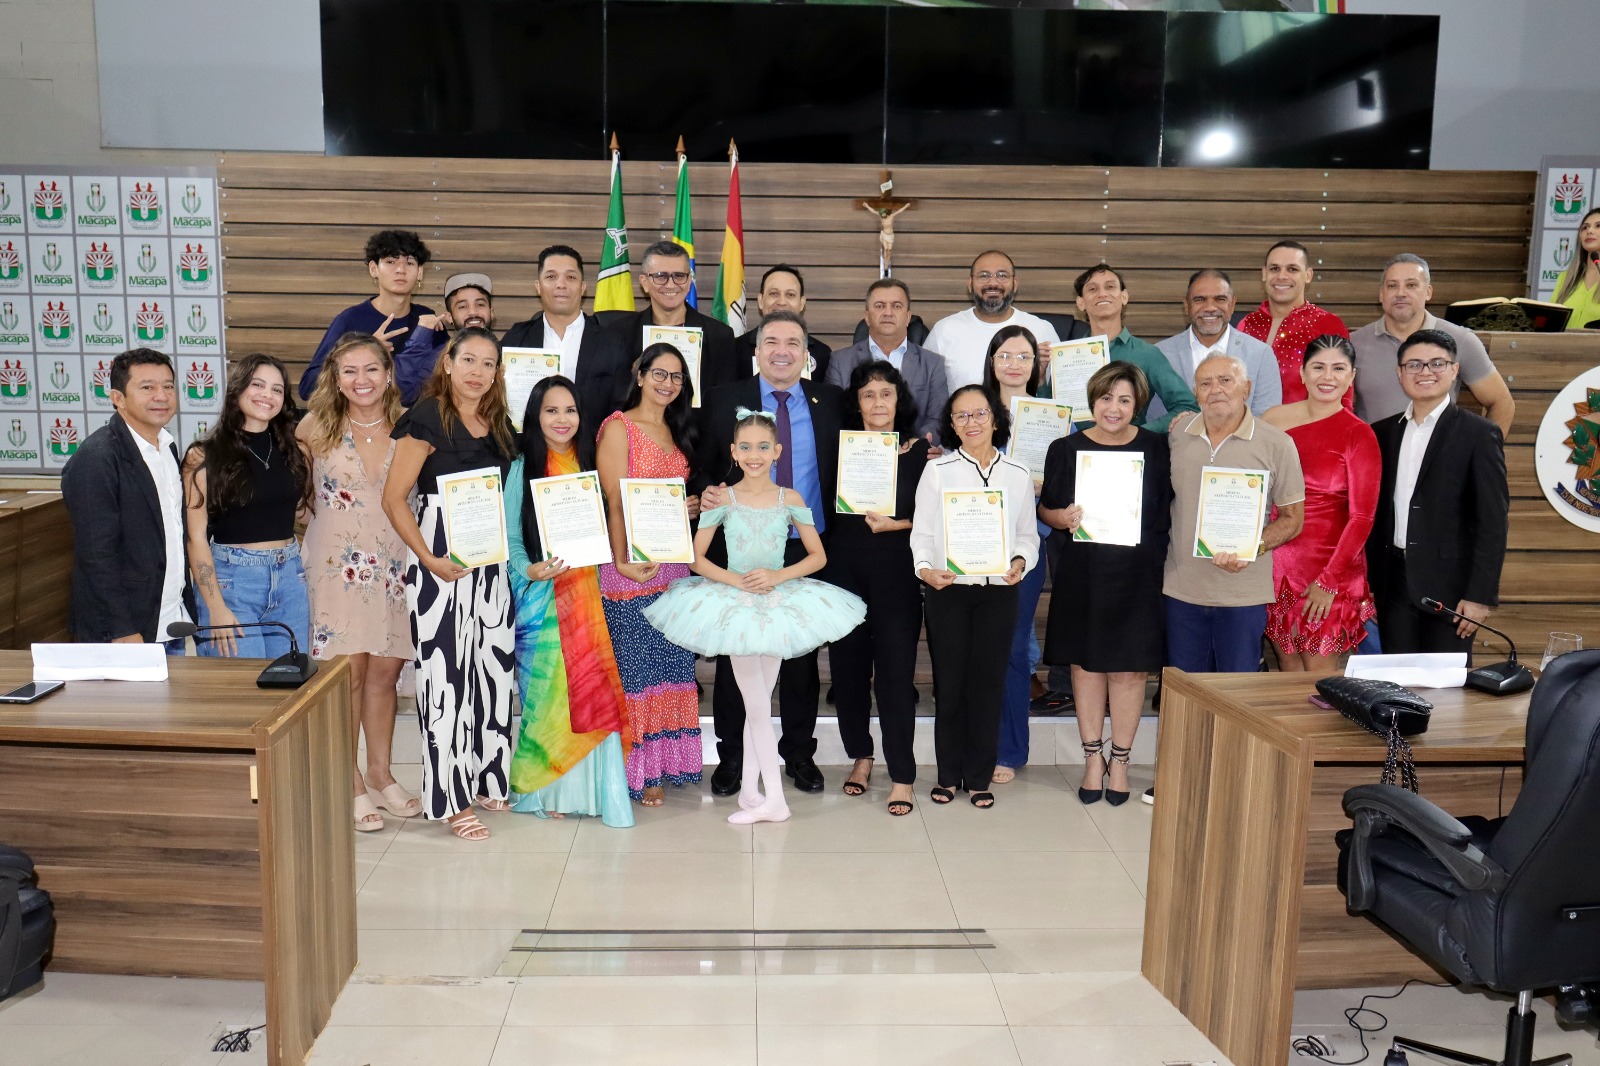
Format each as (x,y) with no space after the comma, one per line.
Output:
(1510,904)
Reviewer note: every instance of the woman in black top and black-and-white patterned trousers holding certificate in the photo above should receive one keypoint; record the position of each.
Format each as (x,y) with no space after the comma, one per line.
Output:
(454,449)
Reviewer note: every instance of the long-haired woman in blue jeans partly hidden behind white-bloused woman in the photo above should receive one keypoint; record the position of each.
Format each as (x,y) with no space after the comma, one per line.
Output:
(1015,372)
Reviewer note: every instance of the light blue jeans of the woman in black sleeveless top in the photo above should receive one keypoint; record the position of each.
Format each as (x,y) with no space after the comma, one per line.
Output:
(260,585)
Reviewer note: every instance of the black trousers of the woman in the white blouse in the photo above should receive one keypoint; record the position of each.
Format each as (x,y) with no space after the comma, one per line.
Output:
(970,643)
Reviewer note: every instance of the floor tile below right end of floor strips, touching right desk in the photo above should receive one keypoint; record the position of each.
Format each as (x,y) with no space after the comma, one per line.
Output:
(1084,1000)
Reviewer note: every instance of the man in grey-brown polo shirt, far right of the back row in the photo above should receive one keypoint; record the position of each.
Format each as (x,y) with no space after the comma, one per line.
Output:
(1404,294)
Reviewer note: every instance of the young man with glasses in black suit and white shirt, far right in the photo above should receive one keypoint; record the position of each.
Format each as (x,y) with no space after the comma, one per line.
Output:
(1442,510)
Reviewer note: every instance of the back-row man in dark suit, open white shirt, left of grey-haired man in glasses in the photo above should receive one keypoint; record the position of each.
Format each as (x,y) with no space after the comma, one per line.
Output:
(591,355)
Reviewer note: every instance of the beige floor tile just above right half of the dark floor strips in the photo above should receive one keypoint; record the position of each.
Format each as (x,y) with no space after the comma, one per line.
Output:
(849,891)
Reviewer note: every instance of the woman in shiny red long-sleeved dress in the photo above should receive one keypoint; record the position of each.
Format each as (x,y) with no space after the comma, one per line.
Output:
(1322,596)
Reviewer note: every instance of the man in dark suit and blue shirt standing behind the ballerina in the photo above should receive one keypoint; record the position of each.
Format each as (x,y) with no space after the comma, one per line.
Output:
(814,422)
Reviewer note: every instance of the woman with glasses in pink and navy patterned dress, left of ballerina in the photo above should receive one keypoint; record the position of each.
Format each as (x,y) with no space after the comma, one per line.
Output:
(650,438)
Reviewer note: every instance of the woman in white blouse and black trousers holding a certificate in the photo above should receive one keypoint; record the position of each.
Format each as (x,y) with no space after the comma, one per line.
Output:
(974,539)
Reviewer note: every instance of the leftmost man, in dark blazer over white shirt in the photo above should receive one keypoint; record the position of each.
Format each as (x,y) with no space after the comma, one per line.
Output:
(124,494)
